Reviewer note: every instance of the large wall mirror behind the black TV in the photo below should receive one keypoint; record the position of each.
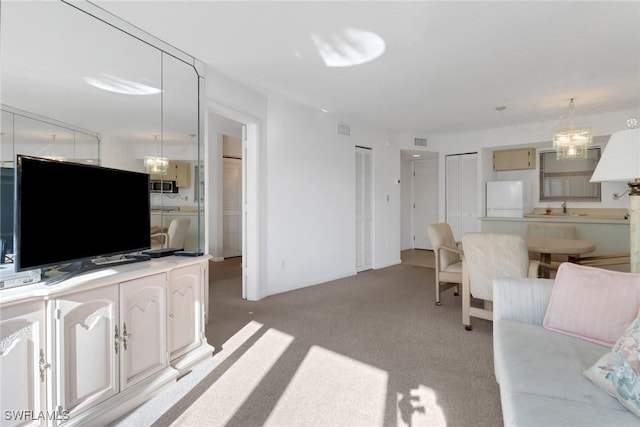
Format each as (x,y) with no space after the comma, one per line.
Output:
(100,91)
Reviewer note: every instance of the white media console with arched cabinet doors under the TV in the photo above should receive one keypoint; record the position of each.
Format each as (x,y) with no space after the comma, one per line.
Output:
(93,347)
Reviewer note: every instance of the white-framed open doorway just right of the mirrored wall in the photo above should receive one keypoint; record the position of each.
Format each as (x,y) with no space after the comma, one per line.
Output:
(231,217)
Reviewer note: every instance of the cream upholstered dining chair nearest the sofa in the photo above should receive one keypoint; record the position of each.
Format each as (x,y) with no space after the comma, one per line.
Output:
(488,256)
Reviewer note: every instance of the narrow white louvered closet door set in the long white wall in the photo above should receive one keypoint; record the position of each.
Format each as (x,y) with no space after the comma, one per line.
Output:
(364,205)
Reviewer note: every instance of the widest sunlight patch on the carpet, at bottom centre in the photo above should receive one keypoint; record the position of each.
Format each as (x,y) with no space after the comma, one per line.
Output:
(330,389)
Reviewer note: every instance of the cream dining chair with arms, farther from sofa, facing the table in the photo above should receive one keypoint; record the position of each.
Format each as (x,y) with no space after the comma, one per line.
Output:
(448,258)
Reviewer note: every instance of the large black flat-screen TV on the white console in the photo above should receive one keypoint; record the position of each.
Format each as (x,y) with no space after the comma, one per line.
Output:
(67,212)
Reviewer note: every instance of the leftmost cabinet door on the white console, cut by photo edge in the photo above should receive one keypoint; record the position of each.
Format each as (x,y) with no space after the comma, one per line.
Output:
(21,340)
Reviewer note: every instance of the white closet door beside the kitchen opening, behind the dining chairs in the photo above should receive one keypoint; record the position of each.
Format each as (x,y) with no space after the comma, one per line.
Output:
(461,193)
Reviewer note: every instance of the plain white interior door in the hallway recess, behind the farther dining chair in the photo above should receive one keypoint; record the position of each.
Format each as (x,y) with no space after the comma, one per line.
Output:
(425,201)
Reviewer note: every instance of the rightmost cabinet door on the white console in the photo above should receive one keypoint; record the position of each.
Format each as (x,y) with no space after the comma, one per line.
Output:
(185,318)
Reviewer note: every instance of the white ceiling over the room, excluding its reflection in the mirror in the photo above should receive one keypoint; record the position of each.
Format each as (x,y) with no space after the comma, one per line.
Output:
(446,65)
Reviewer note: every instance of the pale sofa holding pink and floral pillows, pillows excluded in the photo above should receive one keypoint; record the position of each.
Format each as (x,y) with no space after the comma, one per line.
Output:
(540,371)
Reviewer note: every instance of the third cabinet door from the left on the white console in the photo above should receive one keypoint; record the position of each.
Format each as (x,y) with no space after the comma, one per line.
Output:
(143,328)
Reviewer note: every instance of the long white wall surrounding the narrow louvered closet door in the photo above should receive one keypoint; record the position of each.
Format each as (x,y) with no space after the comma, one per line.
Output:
(311,197)
